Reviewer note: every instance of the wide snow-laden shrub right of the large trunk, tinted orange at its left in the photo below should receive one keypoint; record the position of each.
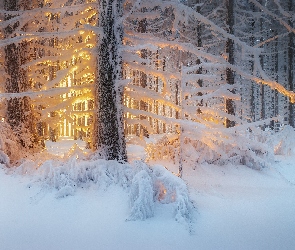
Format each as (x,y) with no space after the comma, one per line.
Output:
(219,146)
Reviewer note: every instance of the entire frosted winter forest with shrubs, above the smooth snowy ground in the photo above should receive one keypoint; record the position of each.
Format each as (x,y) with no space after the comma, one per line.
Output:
(148,94)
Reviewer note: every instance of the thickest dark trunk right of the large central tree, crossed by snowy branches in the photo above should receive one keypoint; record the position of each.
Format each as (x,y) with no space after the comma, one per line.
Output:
(230,78)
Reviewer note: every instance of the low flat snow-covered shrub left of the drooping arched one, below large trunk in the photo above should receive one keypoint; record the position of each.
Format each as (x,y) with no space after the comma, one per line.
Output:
(75,173)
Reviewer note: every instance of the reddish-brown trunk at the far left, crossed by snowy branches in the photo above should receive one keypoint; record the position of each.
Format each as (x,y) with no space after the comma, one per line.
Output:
(19,113)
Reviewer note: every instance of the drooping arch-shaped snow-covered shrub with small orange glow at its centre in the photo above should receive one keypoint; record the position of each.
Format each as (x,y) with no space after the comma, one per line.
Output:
(157,184)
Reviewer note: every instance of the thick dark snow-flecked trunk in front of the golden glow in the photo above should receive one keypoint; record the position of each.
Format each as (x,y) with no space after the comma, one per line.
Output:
(109,133)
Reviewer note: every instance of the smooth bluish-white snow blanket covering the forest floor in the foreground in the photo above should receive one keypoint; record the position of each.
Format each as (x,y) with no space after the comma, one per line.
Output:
(238,208)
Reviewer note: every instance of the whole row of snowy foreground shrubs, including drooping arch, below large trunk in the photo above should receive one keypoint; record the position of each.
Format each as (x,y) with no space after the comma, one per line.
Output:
(146,185)
